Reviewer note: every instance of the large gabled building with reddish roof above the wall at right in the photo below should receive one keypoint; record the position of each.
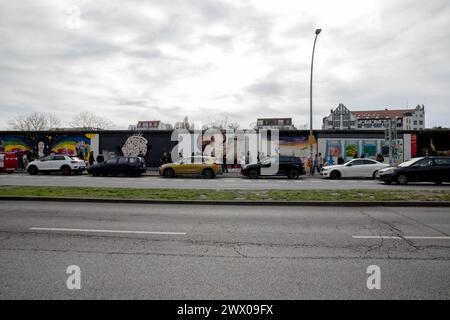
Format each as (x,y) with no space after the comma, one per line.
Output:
(342,118)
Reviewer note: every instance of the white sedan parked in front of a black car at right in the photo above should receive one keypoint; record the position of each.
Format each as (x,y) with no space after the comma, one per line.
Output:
(356,168)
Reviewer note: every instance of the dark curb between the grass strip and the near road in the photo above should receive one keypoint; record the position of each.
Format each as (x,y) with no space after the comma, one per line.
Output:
(241,203)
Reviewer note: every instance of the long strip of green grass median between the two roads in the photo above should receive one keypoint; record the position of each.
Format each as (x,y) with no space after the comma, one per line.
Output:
(230,195)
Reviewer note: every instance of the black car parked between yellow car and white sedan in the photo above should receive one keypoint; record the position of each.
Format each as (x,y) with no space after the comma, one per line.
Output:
(292,167)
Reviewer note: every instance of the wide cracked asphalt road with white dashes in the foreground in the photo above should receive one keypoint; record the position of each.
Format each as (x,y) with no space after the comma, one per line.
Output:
(222,252)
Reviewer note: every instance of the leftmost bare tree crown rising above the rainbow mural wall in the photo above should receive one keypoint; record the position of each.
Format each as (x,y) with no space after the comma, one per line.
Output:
(35,122)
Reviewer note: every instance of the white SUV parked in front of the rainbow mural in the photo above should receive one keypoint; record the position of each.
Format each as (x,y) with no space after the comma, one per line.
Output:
(57,163)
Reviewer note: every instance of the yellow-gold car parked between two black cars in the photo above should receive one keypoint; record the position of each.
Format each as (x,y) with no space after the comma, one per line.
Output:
(208,167)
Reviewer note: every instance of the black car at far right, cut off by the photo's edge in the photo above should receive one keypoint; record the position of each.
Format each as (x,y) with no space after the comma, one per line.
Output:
(427,169)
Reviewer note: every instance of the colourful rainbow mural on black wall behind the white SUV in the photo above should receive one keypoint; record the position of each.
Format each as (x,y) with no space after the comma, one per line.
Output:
(38,145)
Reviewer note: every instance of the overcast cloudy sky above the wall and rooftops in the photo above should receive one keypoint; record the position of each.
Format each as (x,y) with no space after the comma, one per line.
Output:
(162,60)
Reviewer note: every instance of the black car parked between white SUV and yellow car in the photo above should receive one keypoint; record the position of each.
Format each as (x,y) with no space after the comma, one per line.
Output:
(130,166)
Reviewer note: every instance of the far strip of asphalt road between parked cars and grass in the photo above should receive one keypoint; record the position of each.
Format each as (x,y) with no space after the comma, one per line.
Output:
(234,182)
